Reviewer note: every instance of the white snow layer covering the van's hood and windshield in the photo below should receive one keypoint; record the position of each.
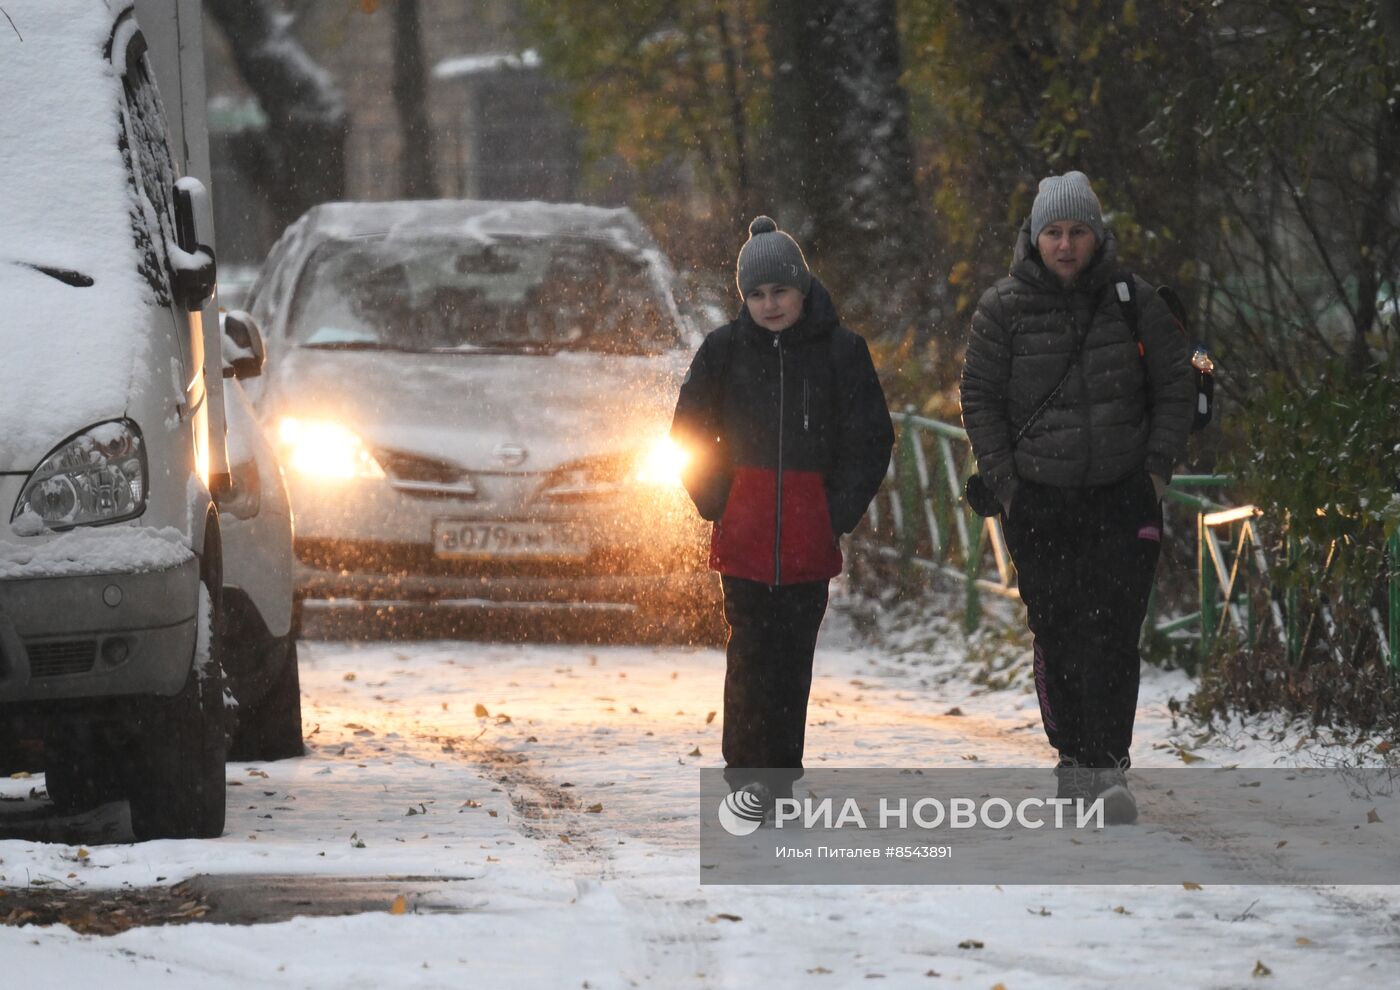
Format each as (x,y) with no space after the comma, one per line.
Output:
(66,352)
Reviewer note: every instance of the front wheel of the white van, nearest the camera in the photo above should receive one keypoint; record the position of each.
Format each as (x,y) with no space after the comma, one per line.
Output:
(177,788)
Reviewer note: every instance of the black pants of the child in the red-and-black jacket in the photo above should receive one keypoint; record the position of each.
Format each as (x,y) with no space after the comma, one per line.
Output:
(768,678)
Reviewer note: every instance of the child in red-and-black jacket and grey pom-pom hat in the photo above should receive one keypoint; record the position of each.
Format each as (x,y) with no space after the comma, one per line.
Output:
(790,438)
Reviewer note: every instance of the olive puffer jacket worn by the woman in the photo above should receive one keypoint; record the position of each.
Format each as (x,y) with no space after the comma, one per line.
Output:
(1122,410)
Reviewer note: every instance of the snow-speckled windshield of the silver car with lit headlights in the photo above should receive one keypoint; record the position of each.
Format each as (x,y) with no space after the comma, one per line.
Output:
(514,295)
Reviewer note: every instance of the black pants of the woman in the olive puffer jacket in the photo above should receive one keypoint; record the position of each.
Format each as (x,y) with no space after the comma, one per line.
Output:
(1086,561)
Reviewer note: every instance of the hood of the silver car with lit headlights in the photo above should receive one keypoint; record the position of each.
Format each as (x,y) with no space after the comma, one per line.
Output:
(461,408)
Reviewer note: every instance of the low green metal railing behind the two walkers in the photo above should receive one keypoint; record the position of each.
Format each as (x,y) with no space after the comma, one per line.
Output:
(922,522)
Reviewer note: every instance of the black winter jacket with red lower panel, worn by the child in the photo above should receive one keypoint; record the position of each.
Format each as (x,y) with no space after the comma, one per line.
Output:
(790,439)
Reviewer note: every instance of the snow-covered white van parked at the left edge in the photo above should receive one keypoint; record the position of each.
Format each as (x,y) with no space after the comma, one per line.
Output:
(110,538)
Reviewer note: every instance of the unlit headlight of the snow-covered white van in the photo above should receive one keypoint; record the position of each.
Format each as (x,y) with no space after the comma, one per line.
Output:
(93,478)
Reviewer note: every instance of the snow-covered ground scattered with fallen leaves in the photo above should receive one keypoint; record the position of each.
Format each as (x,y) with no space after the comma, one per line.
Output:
(551,795)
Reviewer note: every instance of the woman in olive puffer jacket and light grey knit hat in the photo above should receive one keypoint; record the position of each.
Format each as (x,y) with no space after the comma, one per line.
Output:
(1077,398)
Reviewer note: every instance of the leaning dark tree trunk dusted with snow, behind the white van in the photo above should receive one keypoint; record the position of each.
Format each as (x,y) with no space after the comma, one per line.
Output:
(300,159)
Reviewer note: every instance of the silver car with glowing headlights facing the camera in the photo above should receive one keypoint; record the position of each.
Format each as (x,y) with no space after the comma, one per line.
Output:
(472,404)
